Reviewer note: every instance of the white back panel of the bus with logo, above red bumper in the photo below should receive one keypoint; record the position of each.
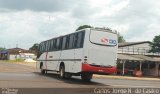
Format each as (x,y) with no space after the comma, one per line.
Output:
(102,48)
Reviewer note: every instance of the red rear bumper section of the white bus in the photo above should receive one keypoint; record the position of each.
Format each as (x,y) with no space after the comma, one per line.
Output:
(98,70)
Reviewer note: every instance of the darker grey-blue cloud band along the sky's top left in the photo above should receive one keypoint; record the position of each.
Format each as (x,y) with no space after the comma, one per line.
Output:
(37,5)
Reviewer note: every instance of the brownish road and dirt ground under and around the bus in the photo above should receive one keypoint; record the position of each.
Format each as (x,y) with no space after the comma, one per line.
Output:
(23,75)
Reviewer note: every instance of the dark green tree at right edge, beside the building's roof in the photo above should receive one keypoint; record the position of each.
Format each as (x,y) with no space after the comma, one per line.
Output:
(155,45)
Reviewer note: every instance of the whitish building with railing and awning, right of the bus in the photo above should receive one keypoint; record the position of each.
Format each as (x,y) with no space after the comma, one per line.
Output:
(133,55)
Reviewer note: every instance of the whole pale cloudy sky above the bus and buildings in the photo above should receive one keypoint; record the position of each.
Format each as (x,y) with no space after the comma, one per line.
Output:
(25,22)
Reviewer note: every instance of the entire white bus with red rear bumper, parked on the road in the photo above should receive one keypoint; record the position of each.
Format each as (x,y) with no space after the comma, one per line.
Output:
(82,53)
